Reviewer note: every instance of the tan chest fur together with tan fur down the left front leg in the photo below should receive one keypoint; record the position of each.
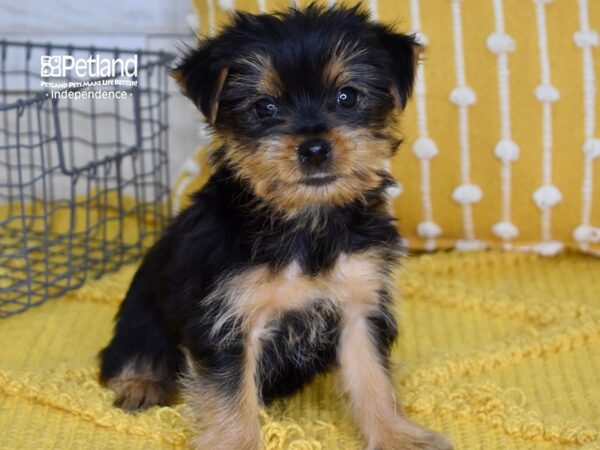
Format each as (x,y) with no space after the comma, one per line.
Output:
(254,299)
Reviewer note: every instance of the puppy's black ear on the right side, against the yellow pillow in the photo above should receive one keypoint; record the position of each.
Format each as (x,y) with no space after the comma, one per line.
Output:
(405,53)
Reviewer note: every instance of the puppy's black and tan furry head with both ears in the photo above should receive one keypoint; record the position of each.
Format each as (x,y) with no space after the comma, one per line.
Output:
(303,101)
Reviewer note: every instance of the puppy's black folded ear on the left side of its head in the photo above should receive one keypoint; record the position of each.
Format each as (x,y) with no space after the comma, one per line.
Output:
(201,75)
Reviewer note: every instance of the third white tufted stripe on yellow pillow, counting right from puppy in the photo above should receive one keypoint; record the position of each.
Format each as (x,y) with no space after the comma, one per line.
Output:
(506,150)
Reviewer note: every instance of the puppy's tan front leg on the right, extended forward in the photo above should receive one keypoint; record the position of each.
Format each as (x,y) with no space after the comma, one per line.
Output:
(365,377)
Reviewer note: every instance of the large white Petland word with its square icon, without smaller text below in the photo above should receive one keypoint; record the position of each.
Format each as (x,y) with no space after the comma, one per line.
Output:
(94,67)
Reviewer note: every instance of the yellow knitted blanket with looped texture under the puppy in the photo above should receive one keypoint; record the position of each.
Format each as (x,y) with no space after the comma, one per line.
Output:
(499,351)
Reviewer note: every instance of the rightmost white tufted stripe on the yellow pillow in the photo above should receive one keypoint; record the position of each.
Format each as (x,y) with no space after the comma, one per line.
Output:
(586,39)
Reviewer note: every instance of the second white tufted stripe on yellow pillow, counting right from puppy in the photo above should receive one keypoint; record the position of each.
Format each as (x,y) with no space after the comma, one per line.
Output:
(462,96)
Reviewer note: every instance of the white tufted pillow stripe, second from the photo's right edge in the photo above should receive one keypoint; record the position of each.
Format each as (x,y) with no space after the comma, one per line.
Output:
(547,195)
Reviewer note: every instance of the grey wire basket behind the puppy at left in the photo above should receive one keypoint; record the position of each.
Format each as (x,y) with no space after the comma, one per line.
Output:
(84,184)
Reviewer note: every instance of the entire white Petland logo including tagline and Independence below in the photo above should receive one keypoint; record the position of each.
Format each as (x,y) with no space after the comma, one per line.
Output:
(101,78)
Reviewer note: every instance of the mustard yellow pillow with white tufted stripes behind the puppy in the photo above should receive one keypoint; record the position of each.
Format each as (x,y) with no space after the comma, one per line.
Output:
(502,146)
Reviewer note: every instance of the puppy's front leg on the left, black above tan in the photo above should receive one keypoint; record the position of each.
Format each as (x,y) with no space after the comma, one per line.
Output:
(220,388)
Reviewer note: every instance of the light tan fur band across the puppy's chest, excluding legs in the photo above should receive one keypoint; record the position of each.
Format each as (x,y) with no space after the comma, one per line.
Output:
(256,296)
